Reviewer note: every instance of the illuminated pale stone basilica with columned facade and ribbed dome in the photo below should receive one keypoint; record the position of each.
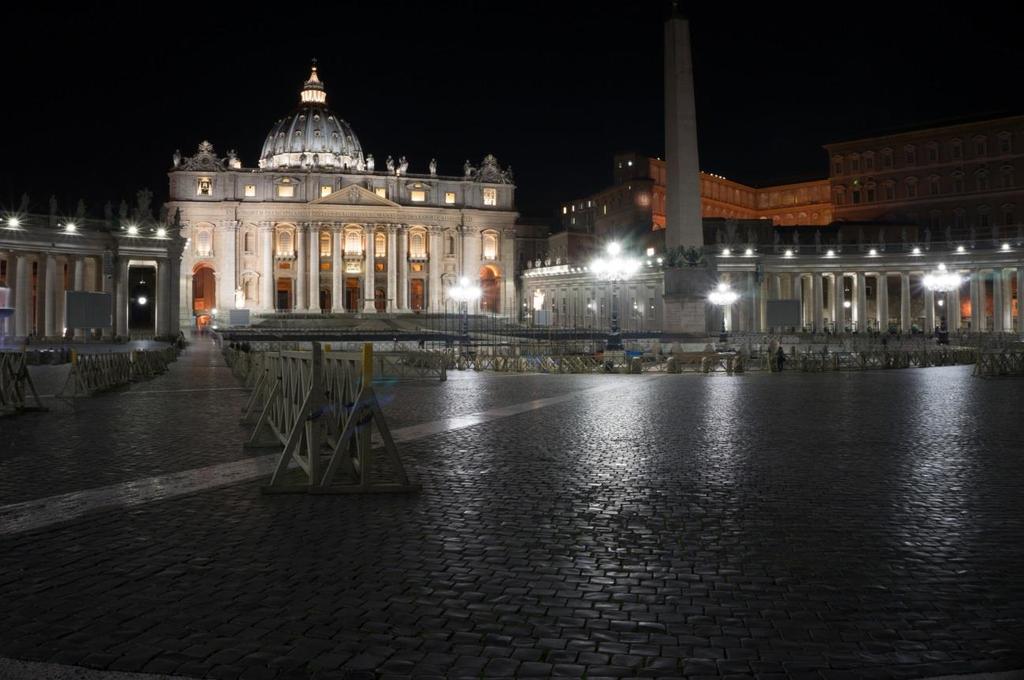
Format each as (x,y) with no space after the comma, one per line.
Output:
(319,227)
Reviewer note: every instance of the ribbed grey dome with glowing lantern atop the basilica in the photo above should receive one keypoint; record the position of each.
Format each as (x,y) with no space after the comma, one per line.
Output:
(312,137)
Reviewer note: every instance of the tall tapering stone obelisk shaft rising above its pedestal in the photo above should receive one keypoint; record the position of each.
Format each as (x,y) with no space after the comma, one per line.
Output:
(682,211)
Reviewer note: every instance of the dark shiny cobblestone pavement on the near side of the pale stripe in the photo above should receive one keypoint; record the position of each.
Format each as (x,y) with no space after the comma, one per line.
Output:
(852,526)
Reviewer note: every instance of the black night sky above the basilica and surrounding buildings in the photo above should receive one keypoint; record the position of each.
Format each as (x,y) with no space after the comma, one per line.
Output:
(97,100)
